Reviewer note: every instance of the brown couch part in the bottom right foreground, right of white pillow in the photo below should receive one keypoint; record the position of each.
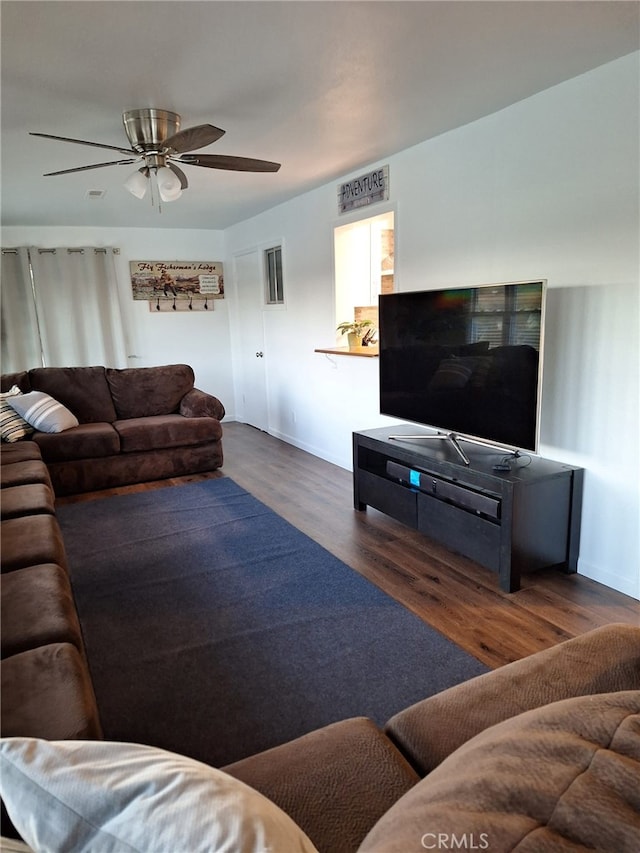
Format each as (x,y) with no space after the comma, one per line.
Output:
(540,755)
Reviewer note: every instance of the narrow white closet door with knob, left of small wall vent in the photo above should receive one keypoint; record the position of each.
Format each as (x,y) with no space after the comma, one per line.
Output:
(252,364)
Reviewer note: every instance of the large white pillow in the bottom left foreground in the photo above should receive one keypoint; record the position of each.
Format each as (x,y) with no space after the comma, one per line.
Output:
(106,797)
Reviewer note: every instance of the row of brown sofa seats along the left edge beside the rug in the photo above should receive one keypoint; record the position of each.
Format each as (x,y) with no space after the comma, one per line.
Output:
(46,686)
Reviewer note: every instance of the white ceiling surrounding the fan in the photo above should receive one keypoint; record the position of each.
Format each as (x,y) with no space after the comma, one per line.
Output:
(325,88)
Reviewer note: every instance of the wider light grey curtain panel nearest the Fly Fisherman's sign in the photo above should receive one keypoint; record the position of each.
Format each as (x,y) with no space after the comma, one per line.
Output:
(79,321)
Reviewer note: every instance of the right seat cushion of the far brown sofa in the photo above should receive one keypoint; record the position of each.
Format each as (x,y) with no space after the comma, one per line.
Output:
(163,431)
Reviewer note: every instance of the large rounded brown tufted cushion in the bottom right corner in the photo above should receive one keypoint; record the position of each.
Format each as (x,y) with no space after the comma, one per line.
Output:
(563,777)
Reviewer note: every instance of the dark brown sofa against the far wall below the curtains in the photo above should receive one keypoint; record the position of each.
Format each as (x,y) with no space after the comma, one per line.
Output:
(135,425)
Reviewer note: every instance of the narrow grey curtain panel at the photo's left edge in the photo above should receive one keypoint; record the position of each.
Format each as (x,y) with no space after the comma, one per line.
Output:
(21,347)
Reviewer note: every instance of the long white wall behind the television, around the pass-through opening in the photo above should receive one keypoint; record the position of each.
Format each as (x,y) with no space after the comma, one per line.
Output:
(547,188)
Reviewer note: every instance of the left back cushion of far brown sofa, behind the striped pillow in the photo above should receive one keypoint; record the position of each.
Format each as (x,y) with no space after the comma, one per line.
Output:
(83,390)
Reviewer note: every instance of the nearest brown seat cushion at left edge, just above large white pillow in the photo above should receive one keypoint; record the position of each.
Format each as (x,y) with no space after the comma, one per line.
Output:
(47,692)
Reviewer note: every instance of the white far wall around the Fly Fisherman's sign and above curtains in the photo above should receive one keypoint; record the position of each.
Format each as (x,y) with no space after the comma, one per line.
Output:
(198,338)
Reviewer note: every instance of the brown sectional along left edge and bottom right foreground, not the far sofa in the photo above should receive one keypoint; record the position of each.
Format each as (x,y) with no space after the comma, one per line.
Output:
(541,754)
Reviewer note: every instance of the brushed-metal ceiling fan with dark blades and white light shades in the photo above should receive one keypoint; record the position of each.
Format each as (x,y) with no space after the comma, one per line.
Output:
(161,147)
